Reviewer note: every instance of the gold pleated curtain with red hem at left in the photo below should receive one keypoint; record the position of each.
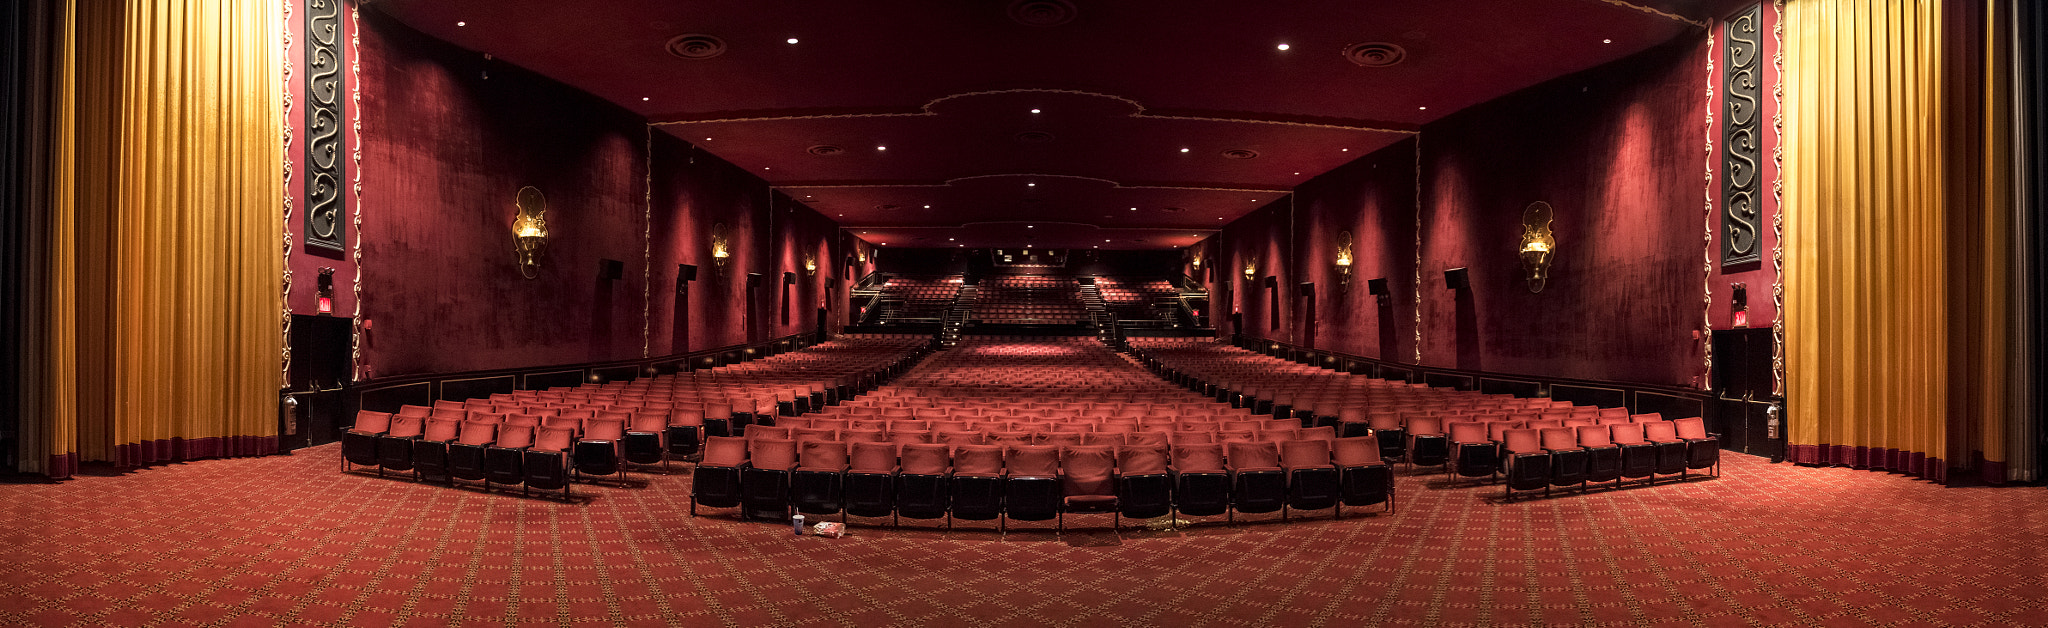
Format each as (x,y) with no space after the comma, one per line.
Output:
(165,234)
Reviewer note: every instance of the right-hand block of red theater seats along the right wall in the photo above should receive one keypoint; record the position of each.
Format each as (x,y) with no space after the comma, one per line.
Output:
(1539,445)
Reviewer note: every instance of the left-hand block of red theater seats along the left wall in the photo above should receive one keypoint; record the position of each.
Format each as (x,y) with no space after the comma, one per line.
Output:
(542,439)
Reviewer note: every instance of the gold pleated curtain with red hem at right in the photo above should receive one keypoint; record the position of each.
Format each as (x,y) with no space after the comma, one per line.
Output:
(1895,275)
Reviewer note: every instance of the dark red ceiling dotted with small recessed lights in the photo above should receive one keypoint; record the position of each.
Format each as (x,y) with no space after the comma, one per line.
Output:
(1058,124)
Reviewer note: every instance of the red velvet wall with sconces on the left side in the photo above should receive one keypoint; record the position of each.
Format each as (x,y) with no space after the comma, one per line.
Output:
(447,150)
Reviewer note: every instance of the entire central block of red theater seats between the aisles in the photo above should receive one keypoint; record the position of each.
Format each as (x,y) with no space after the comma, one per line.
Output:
(1023,431)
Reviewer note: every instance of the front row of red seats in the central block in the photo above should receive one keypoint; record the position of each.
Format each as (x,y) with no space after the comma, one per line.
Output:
(908,476)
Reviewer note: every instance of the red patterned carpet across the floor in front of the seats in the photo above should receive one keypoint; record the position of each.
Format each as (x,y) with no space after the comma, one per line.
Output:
(292,541)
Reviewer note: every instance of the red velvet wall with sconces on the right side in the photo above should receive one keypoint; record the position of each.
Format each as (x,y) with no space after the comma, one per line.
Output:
(1617,150)
